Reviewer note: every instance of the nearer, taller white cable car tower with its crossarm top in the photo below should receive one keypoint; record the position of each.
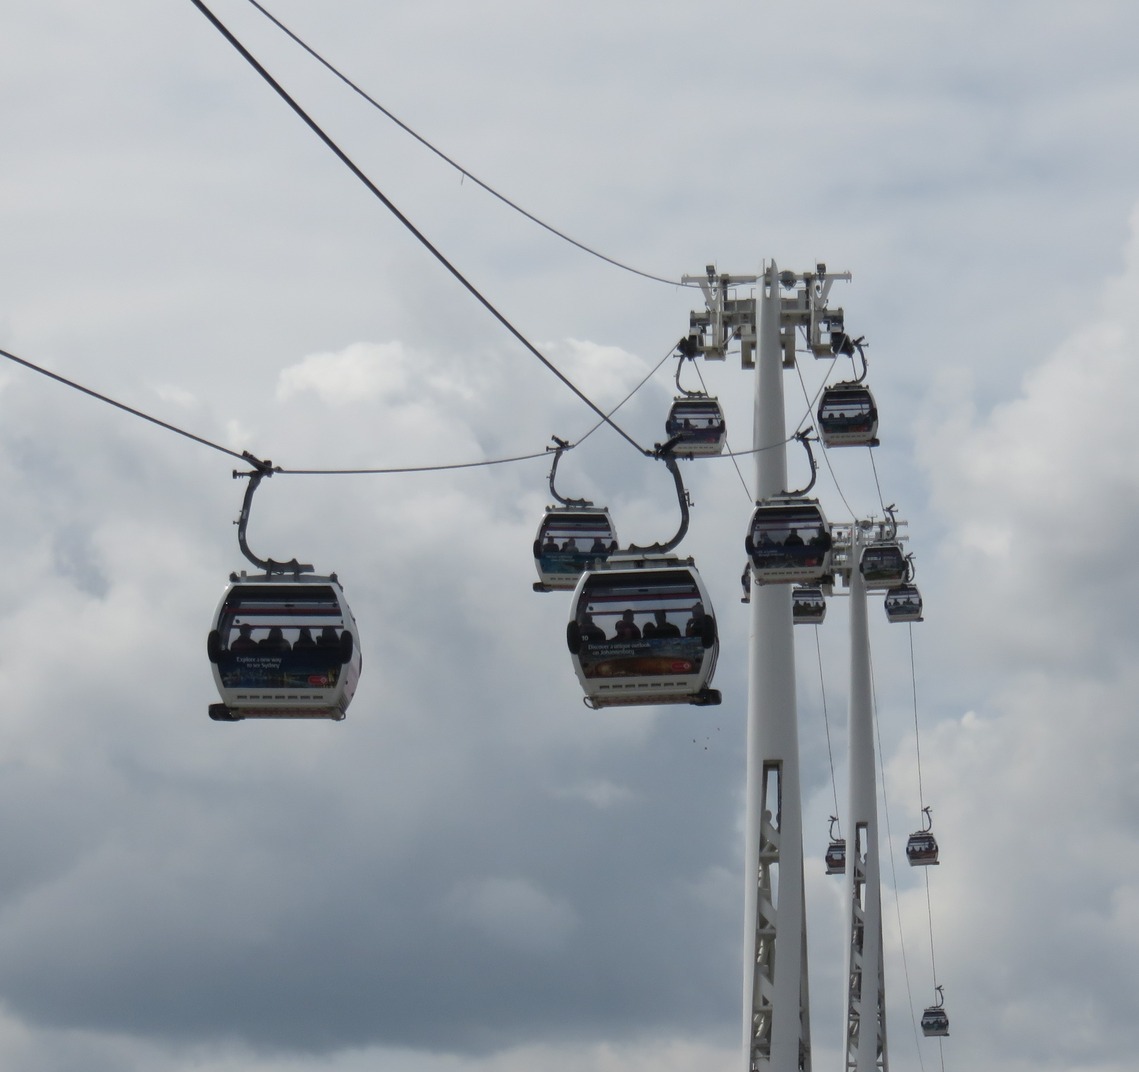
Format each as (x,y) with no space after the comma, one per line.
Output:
(777,1035)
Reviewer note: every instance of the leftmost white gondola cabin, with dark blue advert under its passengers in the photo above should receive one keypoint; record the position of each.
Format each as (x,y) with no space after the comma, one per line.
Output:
(284,648)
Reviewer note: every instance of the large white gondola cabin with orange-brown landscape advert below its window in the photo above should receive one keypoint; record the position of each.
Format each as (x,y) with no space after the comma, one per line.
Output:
(643,633)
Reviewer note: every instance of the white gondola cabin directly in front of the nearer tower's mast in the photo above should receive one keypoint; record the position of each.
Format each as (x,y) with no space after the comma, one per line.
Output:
(789,542)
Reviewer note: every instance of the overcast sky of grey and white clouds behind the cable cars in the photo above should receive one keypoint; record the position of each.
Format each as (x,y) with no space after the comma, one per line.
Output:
(474,873)
